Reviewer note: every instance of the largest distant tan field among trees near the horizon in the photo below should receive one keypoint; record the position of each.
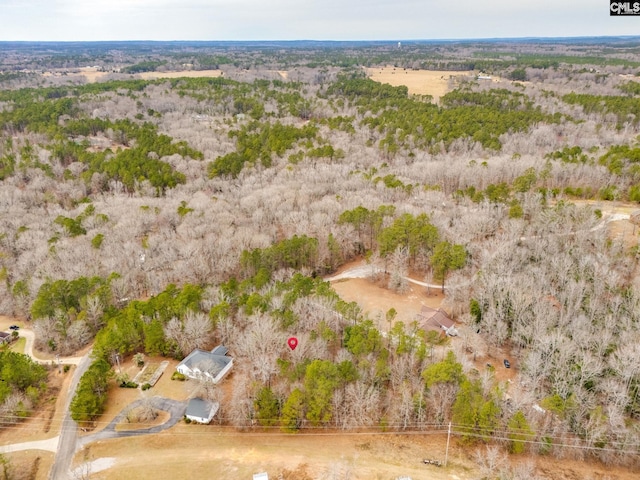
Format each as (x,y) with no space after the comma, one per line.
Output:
(419,82)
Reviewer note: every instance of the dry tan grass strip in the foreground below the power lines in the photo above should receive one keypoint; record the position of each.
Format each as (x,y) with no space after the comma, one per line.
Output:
(216,452)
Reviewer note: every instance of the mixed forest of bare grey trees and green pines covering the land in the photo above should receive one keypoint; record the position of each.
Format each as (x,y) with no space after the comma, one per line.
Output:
(162,215)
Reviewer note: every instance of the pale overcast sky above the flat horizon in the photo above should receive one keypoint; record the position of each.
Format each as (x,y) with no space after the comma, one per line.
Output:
(102,20)
